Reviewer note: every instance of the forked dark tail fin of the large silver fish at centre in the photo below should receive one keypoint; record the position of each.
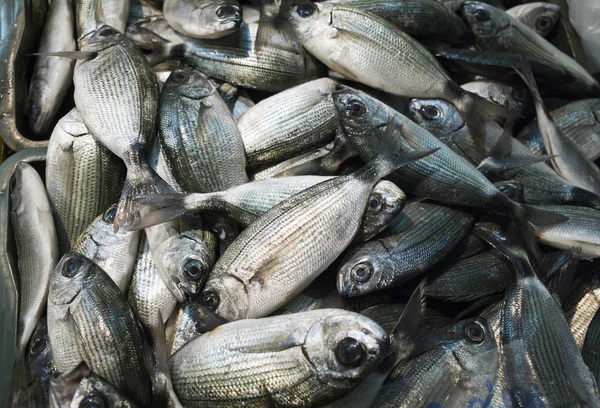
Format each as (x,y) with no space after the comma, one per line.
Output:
(388,157)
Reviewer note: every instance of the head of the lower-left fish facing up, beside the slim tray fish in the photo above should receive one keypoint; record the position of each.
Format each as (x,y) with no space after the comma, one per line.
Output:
(73,273)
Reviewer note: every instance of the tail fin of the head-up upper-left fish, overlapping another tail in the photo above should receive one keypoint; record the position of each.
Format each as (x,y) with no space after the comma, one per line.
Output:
(142,183)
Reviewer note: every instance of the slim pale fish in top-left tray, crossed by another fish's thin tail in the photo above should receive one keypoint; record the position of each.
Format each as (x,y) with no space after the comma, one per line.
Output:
(51,75)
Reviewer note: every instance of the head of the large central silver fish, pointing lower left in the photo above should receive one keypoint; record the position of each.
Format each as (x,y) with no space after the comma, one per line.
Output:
(228,297)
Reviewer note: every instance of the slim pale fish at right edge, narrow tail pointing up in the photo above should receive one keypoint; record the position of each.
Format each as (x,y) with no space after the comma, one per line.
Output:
(568,161)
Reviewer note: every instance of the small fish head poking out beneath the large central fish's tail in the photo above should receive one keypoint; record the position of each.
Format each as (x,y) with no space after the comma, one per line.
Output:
(385,202)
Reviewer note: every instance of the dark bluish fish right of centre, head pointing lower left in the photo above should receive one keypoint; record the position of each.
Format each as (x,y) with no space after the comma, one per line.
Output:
(419,237)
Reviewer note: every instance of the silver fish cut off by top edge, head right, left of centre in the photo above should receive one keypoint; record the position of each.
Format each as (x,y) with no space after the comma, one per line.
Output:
(203,18)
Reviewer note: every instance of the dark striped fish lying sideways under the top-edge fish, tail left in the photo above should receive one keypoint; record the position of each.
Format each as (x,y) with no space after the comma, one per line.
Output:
(233,59)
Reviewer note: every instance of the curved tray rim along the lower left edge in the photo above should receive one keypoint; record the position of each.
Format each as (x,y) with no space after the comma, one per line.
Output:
(9,295)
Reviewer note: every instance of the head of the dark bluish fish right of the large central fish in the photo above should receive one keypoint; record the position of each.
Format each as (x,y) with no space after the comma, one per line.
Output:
(361,270)
